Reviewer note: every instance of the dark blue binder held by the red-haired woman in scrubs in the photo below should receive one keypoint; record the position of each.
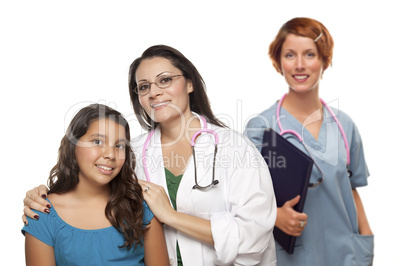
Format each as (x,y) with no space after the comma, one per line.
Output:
(290,170)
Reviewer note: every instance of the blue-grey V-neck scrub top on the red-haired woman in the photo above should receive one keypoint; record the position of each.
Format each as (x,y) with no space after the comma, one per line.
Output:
(331,236)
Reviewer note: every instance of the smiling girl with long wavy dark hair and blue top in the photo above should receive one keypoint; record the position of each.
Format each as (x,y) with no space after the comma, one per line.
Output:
(98,216)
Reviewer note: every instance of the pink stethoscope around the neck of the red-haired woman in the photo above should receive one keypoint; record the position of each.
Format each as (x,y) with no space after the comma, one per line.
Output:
(288,131)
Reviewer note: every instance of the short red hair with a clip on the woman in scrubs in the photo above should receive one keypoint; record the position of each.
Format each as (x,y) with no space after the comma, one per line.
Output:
(304,27)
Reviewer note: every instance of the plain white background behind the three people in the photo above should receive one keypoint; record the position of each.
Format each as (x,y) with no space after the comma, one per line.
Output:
(56,57)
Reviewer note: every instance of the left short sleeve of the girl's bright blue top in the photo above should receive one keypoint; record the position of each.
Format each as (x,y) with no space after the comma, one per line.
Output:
(42,229)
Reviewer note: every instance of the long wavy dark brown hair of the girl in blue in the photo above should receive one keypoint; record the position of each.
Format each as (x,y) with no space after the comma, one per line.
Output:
(125,207)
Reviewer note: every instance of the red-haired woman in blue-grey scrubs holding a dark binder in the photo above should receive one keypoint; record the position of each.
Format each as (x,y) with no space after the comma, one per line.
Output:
(333,228)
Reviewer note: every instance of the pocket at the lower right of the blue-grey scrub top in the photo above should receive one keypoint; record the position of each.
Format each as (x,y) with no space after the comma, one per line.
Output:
(364,249)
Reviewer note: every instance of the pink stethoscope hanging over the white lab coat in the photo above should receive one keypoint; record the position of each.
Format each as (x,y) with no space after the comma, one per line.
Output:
(204,129)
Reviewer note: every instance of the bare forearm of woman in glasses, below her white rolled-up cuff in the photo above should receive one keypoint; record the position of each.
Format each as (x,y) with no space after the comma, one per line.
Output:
(193,226)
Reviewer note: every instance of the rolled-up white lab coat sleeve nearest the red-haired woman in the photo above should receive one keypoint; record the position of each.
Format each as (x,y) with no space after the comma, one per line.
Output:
(244,233)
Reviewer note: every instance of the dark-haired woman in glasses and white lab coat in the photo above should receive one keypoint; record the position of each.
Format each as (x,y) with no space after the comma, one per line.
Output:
(208,185)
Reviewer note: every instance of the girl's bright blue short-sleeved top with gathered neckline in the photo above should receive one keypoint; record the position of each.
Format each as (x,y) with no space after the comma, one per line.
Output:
(74,246)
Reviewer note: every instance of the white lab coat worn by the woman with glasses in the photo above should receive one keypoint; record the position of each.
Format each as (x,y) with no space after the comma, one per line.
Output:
(241,208)
